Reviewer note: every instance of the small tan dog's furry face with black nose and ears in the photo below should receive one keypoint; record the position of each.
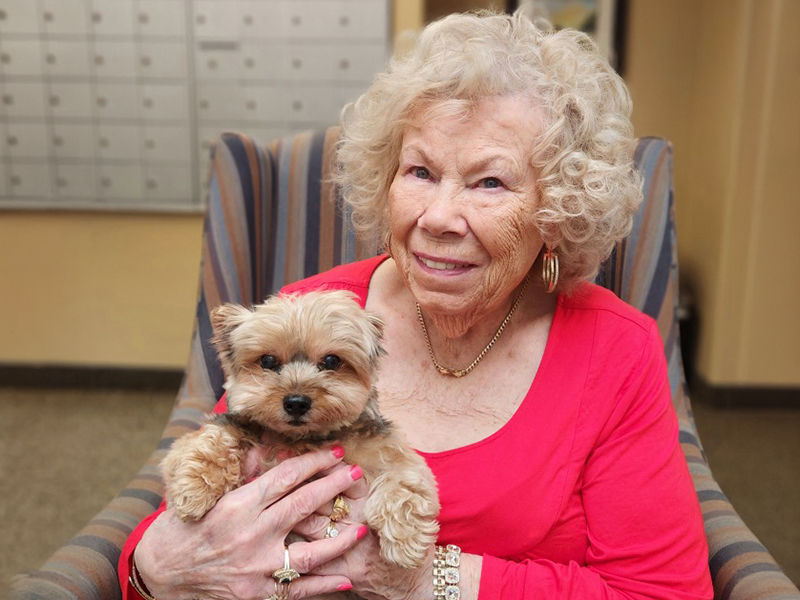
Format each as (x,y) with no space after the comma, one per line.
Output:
(299,365)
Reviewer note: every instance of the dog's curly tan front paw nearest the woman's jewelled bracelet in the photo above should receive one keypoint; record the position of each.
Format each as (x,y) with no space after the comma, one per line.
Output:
(403,513)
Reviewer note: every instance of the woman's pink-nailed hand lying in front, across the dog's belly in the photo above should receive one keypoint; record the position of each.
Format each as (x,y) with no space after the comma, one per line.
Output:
(232,552)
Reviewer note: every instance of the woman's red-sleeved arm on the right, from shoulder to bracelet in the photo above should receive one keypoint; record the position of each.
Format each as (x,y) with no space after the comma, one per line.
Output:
(644,526)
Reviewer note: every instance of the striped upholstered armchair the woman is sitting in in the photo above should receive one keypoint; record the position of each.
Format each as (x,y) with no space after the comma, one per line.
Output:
(272,218)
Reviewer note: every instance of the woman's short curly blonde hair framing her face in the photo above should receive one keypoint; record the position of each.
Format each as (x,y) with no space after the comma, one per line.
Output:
(588,188)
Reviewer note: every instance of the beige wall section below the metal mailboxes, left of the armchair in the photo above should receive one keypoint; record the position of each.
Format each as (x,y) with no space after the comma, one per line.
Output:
(98,289)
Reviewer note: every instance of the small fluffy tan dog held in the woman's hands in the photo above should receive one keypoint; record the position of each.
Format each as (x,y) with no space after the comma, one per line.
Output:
(299,375)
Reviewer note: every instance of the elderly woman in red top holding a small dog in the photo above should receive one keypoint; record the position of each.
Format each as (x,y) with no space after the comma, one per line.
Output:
(494,159)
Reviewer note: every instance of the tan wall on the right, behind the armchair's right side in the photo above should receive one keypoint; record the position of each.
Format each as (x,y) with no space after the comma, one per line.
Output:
(721,79)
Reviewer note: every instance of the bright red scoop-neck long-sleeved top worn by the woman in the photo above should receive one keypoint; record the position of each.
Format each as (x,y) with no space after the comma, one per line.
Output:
(584,493)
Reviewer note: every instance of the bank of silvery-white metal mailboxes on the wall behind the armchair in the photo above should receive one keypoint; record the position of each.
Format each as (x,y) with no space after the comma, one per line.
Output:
(115,103)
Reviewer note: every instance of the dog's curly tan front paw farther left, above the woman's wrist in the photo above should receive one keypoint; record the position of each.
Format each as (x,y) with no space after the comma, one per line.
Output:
(199,469)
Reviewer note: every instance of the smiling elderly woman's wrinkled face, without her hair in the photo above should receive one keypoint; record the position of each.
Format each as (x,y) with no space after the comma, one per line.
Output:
(461,207)
